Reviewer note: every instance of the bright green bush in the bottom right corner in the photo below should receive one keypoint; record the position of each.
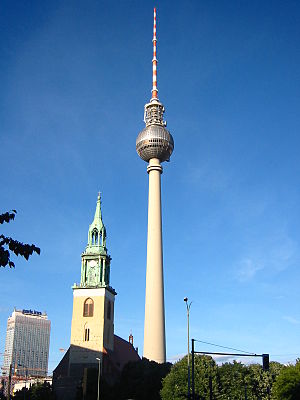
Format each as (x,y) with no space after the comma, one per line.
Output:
(287,385)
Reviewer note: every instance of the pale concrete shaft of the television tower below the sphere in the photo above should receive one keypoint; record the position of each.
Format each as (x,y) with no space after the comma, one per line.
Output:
(154,329)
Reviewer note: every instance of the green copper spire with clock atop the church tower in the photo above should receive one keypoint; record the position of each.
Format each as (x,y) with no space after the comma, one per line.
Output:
(95,265)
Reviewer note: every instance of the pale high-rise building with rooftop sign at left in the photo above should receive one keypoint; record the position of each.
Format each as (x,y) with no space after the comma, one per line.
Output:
(27,343)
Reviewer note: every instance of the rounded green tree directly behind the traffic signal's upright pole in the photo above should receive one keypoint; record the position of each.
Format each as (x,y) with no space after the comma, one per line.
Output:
(175,384)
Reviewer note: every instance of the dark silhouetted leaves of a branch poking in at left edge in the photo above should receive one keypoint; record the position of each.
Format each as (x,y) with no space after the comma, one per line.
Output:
(8,245)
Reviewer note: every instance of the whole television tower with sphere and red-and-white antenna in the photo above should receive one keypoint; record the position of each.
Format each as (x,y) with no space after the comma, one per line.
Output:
(154,145)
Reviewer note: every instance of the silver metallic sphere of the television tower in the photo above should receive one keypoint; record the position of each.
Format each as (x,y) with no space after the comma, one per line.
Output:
(155,141)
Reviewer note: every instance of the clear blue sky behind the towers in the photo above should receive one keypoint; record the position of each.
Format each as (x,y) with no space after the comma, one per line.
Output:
(74,80)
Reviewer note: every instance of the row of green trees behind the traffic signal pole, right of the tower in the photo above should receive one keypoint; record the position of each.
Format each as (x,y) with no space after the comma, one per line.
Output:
(229,381)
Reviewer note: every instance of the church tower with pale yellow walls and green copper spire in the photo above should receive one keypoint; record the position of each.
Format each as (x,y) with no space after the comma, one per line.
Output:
(92,332)
